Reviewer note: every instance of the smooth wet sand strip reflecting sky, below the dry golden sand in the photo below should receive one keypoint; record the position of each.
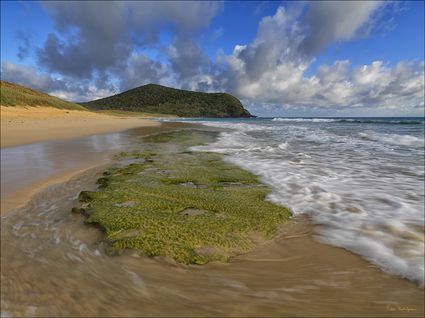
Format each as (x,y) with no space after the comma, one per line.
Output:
(27,169)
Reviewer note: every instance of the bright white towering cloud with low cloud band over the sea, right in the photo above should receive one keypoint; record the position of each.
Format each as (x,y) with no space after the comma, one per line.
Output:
(272,68)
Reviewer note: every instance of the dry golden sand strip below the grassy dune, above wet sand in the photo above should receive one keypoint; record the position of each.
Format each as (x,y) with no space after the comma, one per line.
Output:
(25,125)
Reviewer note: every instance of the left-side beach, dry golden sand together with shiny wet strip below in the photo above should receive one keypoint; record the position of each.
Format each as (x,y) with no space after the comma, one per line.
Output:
(24,173)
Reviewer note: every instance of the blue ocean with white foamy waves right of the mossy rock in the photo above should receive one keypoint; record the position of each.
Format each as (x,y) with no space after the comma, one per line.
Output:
(359,180)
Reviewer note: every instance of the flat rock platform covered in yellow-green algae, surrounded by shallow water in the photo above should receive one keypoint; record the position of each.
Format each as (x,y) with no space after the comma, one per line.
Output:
(190,206)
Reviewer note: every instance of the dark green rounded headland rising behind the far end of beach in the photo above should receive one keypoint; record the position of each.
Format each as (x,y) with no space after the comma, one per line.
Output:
(159,99)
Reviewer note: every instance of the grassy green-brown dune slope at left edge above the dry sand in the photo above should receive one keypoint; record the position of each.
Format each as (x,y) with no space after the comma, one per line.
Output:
(17,95)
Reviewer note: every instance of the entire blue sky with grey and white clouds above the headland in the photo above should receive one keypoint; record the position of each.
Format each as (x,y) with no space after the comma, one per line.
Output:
(318,58)
